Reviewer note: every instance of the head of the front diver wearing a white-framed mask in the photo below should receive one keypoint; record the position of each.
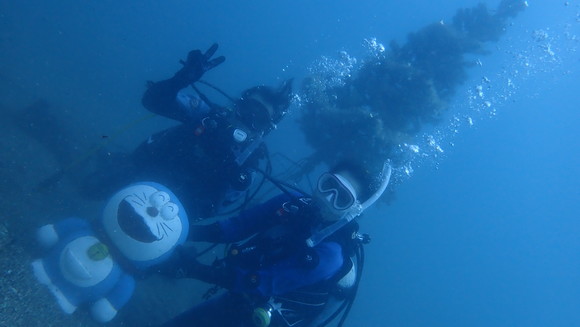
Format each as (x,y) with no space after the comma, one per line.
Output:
(347,188)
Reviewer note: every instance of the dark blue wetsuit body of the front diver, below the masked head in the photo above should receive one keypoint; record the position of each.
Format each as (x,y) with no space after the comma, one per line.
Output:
(273,269)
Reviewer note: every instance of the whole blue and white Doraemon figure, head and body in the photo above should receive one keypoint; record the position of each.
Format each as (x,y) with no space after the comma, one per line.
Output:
(141,226)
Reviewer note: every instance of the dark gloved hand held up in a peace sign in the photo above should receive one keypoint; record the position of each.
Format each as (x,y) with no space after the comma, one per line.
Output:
(198,63)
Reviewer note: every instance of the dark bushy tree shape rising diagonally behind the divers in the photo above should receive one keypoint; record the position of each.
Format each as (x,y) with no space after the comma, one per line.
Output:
(390,97)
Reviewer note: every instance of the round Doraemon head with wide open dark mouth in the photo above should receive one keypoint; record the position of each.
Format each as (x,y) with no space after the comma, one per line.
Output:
(145,221)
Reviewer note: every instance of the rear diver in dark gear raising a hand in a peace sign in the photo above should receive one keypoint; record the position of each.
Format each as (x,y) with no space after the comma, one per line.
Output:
(210,158)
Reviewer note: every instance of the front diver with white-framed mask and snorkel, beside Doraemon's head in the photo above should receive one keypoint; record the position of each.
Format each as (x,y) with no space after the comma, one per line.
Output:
(295,260)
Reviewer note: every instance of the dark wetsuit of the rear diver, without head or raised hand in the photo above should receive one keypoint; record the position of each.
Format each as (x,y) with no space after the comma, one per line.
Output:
(196,159)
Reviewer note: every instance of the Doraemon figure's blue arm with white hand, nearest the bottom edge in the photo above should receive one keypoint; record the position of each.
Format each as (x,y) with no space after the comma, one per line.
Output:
(106,308)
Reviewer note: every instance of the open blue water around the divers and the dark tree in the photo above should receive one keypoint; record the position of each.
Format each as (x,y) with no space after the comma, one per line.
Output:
(485,231)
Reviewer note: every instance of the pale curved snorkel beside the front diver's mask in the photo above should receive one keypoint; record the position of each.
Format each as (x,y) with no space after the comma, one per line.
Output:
(355,211)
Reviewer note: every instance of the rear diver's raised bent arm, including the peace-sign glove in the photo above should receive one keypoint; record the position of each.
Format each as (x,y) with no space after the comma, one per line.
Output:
(163,97)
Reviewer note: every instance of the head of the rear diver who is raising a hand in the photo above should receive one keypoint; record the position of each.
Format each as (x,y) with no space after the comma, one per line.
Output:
(262,107)
